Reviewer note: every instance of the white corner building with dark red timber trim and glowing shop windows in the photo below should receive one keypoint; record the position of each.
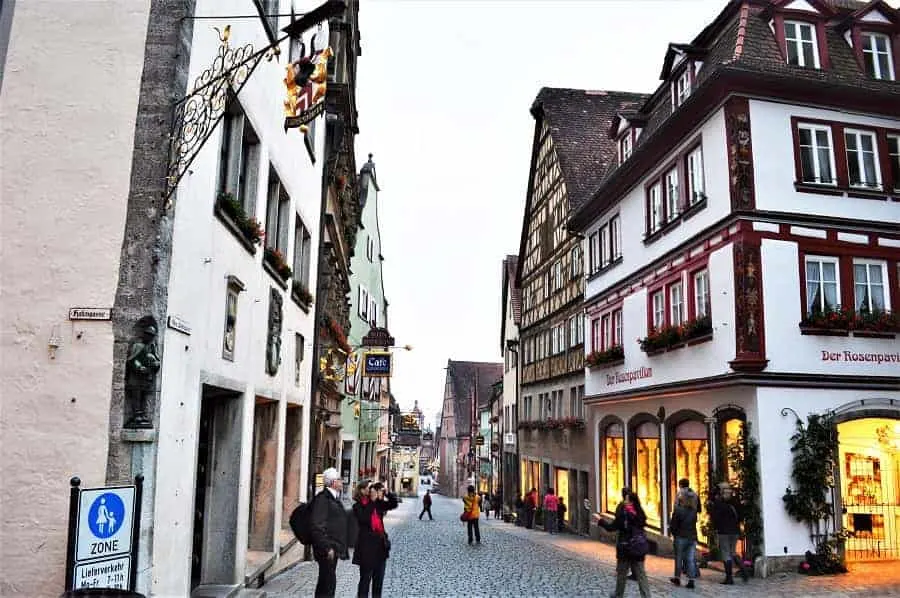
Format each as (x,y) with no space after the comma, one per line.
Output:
(746,236)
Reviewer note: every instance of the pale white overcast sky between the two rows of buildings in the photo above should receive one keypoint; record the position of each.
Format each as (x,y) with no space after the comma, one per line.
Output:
(444,89)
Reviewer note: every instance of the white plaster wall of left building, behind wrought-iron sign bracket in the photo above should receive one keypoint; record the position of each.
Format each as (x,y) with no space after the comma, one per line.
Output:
(204,254)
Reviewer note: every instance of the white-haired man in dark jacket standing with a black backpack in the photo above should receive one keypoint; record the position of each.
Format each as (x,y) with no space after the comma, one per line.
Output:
(329,529)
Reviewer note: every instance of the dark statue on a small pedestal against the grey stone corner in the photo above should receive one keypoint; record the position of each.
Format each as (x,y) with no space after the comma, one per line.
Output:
(140,373)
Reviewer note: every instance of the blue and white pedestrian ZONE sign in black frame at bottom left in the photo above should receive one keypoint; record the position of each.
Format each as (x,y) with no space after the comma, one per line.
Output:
(103,536)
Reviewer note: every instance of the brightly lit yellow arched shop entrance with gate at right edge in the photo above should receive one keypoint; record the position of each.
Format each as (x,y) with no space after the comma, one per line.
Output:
(869,462)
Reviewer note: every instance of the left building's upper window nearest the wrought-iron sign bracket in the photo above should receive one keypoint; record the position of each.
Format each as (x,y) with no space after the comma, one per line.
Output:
(238,157)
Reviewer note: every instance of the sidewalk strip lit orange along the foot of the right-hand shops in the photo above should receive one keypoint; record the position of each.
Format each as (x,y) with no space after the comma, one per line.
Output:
(871,579)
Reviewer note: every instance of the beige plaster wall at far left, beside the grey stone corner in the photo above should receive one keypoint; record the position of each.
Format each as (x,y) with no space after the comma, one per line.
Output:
(65,171)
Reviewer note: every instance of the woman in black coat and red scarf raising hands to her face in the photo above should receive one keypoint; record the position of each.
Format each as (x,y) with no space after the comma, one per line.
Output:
(372,543)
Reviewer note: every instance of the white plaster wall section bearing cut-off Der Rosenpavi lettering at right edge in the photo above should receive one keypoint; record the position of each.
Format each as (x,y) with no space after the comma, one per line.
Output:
(788,350)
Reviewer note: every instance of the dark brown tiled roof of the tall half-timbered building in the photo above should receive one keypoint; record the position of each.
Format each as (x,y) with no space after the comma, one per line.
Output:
(578,122)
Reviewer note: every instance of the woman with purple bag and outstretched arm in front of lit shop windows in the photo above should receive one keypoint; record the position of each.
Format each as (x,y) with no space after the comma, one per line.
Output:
(631,543)
